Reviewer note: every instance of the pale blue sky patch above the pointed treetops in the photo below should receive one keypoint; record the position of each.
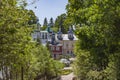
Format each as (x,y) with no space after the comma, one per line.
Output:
(47,8)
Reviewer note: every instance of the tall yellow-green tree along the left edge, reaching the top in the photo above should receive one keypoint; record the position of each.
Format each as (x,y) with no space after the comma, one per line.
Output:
(14,34)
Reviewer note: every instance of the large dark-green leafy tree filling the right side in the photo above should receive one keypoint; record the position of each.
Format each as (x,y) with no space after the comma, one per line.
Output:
(98,33)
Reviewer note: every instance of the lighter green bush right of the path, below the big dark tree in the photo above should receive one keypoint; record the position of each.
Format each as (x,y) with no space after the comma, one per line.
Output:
(82,64)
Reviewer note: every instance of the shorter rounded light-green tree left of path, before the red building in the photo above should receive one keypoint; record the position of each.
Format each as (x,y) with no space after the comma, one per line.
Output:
(45,67)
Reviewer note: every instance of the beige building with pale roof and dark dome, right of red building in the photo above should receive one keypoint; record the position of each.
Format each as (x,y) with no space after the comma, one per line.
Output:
(68,42)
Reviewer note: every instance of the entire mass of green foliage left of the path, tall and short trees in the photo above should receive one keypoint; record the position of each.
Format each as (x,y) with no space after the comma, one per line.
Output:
(21,59)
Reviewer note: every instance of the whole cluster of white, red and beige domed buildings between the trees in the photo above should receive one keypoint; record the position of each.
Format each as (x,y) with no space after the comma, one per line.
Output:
(59,44)
